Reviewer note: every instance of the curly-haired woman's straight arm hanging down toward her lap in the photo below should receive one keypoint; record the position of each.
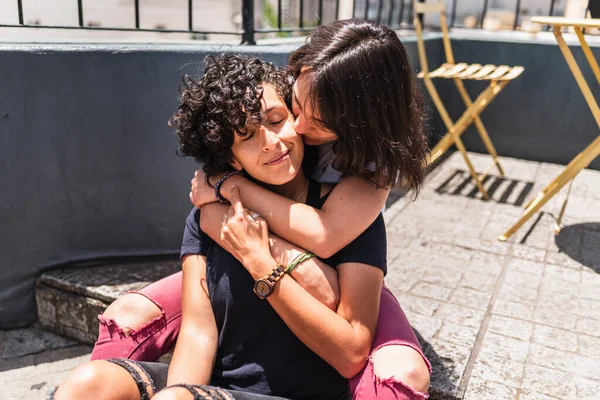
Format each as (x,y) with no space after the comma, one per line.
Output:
(196,346)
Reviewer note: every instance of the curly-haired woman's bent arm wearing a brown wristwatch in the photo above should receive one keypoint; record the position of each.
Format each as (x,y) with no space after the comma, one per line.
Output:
(341,338)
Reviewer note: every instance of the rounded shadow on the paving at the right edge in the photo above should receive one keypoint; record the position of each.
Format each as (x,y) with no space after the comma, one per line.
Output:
(581,242)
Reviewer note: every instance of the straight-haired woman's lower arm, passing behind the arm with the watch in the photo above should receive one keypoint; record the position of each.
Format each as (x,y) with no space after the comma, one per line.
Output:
(317,278)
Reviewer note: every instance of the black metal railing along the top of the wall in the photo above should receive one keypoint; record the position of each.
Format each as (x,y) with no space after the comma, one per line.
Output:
(395,13)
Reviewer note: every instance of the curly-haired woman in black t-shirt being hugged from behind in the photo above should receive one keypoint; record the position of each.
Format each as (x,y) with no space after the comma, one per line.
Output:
(248,327)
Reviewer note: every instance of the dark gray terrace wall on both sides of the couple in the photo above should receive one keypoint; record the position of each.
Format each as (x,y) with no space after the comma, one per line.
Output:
(88,166)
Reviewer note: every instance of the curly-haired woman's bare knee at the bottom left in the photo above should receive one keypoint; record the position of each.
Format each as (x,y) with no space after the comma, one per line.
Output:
(85,381)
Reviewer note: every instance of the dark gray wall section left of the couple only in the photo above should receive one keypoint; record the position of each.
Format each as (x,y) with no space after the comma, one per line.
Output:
(87,163)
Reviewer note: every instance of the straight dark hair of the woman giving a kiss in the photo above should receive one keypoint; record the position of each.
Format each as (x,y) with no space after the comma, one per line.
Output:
(362,88)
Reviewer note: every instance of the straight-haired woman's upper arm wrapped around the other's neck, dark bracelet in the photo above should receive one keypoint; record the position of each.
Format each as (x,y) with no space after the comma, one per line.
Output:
(351,207)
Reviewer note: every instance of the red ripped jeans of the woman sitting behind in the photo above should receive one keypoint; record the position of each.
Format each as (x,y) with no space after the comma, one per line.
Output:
(158,337)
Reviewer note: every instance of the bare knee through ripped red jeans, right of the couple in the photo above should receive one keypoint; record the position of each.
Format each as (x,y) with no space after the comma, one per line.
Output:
(402,364)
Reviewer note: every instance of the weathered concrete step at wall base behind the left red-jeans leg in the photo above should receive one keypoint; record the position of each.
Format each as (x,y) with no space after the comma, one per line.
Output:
(69,300)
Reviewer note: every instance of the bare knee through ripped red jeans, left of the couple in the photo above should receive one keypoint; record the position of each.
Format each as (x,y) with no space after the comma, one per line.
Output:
(132,311)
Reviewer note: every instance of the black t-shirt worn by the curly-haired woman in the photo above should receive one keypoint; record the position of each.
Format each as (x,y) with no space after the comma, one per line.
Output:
(257,352)
